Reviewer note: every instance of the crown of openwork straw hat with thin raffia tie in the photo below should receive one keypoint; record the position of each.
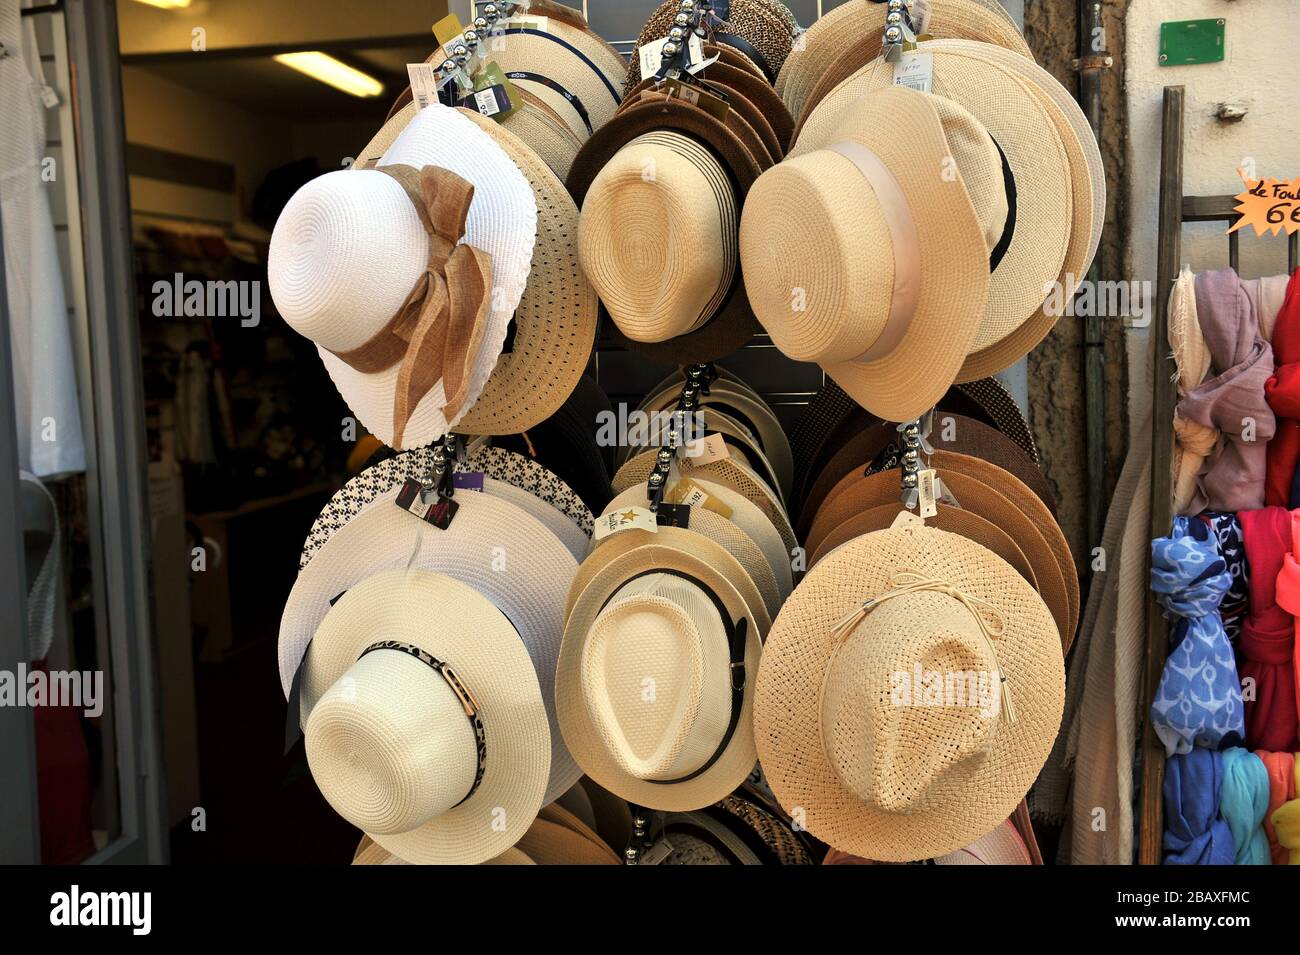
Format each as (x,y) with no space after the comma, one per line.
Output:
(909,700)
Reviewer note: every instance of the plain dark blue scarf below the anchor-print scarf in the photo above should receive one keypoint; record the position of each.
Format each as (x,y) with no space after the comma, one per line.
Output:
(1195,831)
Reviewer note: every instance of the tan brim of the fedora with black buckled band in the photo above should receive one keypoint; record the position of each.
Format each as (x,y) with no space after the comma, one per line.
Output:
(618,559)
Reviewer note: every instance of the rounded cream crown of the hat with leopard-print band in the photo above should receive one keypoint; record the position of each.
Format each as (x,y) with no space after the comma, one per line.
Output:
(391,745)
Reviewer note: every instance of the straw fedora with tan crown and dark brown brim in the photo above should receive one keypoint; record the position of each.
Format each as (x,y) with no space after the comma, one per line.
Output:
(739,153)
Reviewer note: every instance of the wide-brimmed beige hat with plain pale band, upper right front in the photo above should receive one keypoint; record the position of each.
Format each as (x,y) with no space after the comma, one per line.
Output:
(900,171)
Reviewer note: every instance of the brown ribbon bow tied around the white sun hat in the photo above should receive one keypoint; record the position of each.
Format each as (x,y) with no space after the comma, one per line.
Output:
(439,329)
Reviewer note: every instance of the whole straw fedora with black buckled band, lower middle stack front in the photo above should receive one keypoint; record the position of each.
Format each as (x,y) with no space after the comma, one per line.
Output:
(678,610)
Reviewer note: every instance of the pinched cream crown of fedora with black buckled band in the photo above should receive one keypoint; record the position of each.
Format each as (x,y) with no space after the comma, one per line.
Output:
(656,678)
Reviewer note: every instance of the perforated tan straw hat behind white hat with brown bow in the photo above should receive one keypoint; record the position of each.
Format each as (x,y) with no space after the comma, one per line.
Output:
(557,316)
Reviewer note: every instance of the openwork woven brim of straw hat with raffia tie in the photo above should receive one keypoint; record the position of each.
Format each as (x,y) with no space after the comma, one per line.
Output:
(787,720)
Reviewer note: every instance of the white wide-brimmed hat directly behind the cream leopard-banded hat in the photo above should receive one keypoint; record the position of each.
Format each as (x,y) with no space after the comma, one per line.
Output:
(500,550)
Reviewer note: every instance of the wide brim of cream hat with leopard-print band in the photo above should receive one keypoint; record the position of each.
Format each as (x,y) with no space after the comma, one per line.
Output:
(491,658)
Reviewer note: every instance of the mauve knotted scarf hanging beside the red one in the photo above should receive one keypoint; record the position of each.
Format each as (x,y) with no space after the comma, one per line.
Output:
(1233,400)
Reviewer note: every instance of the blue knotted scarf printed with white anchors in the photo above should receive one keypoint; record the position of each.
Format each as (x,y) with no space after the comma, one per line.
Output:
(1199,700)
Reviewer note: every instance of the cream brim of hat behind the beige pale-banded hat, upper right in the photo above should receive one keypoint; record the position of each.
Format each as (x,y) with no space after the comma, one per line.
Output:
(1039,189)
